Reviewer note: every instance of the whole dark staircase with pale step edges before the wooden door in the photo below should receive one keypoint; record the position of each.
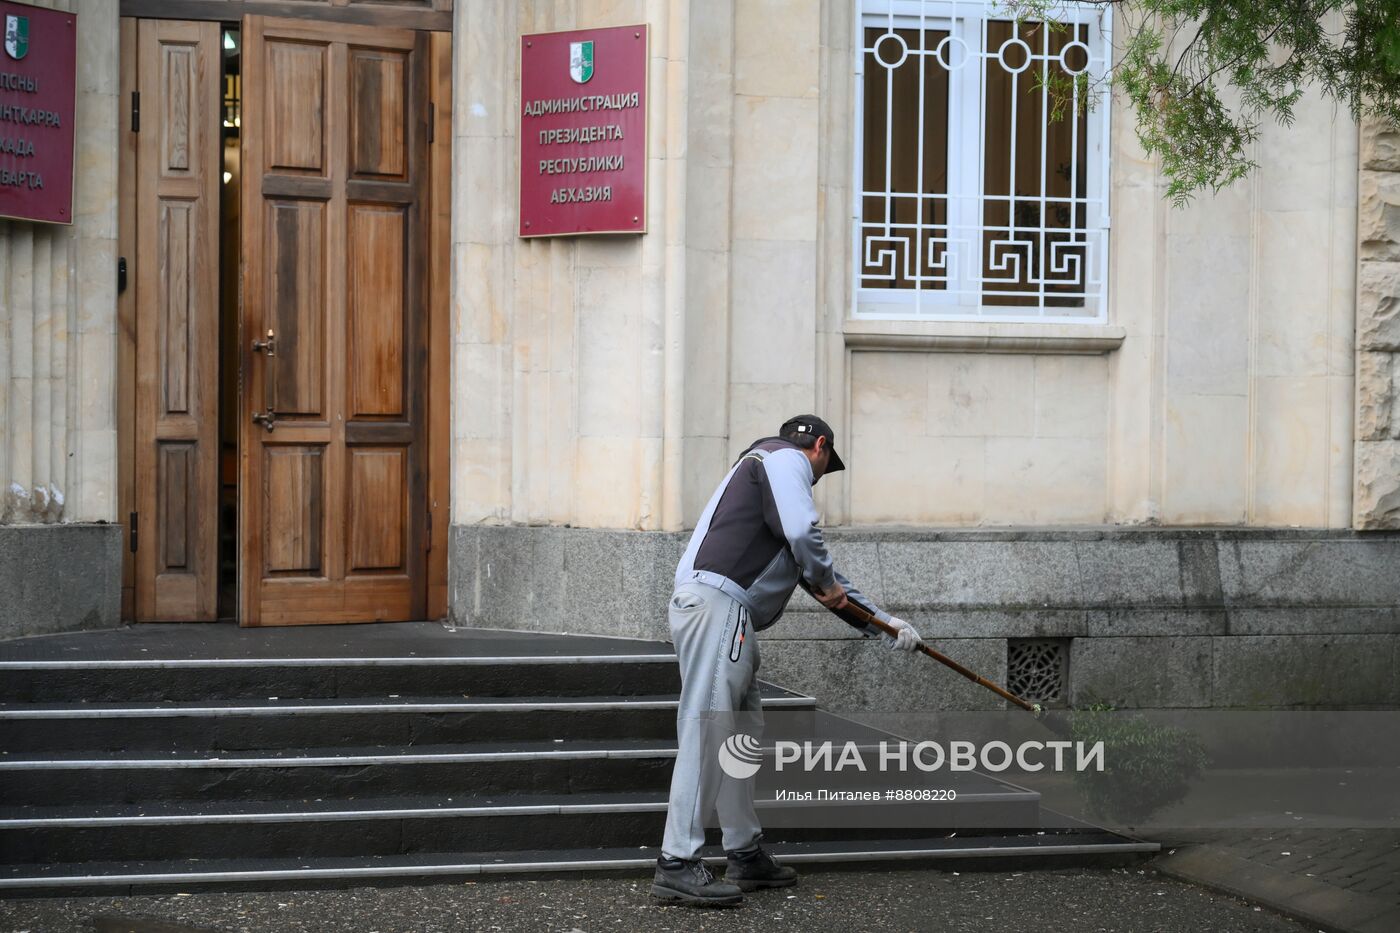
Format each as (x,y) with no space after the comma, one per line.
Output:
(202,757)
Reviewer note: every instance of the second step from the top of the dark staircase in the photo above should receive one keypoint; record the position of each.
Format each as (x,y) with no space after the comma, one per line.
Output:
(386,721)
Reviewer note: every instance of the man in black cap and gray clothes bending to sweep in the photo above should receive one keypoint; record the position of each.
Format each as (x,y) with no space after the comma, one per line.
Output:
(757,540)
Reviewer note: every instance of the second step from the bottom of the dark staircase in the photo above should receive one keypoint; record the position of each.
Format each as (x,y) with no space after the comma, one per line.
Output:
(388,827)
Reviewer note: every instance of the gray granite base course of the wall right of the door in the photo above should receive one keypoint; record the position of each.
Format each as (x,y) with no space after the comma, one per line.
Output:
(1156,618)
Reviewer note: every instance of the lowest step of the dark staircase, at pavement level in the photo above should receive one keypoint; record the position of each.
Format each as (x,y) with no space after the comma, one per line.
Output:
(1011,851)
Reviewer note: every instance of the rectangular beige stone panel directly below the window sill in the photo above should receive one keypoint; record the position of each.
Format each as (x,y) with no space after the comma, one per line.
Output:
(965,439)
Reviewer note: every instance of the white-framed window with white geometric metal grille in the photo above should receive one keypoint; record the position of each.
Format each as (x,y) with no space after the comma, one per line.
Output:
(975,204)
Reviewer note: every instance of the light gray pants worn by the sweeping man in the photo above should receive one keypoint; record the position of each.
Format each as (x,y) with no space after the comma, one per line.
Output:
(719,697)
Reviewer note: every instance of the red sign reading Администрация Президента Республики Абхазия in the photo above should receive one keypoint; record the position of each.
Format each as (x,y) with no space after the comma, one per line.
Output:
(584,132)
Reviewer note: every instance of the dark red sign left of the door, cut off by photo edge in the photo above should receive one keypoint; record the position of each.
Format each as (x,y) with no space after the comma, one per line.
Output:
(38,76)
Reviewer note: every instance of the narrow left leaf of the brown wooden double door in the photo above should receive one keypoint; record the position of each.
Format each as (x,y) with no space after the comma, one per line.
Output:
(177,322)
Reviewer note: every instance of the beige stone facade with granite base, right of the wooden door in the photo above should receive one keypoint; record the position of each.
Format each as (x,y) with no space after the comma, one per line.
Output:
(603,386)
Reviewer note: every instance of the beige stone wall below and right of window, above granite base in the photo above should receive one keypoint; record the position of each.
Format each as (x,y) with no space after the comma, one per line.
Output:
(1227,403)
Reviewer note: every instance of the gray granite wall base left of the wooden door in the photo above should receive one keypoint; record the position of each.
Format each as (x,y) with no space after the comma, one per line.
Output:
(62,578)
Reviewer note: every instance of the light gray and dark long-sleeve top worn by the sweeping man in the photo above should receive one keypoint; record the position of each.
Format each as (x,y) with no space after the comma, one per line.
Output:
(759,536)
